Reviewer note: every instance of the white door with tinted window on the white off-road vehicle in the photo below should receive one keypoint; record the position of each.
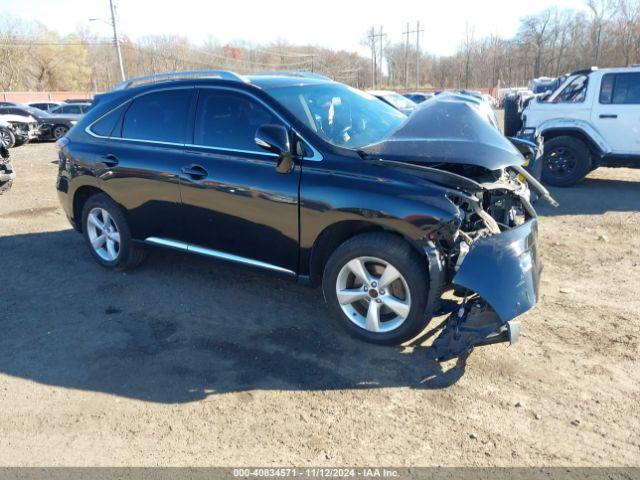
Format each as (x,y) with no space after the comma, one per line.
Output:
(616,112)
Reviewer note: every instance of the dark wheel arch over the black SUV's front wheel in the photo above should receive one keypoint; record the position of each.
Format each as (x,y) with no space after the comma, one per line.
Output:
(336,234)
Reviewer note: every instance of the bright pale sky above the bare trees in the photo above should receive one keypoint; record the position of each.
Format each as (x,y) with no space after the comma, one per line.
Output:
(339,24)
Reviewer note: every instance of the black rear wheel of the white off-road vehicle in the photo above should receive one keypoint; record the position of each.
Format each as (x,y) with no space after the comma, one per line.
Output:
(566,161)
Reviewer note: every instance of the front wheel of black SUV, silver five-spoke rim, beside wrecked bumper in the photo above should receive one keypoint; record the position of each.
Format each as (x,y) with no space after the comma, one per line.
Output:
(376,285)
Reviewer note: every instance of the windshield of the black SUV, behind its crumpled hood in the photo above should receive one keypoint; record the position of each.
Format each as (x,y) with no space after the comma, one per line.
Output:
(341,115)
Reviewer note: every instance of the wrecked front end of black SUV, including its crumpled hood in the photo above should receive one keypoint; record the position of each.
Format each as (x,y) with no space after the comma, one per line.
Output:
(488,252)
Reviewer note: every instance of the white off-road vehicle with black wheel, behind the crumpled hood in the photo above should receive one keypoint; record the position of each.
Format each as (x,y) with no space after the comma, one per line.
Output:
(592,120)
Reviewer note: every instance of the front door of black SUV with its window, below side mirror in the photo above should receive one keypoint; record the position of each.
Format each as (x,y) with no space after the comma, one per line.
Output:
(234,202)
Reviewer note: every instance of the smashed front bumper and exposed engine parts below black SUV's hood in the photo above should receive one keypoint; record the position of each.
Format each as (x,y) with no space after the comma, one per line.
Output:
(491,257)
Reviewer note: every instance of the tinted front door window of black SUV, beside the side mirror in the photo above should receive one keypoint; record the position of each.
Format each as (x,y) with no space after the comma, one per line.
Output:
(229,120)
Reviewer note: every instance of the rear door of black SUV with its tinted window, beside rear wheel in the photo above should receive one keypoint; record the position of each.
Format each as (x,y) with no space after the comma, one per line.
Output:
(138,158)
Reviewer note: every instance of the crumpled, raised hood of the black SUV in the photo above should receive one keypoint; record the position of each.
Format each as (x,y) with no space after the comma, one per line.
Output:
(445,131)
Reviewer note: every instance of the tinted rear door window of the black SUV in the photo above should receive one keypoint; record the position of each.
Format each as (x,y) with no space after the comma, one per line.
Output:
(159,116)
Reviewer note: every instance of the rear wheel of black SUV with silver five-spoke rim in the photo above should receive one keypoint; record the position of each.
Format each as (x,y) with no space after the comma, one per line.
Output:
(107,234)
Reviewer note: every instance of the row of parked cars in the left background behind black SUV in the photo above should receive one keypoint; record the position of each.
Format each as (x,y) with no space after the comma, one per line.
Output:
(20,123)
